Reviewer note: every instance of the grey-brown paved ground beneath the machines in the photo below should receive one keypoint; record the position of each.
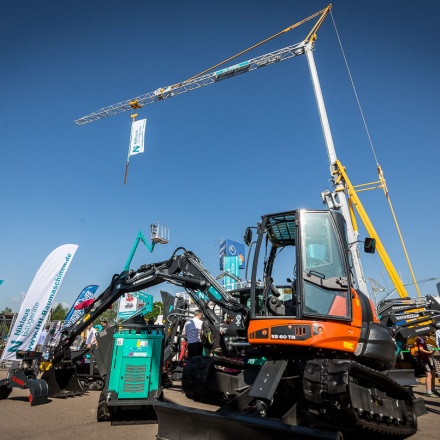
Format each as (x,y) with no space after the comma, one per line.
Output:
(75,418)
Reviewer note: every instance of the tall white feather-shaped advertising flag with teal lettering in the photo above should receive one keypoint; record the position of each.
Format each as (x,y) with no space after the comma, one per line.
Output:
(38,301)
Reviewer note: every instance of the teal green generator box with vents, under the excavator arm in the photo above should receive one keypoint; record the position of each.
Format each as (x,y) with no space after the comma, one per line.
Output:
(134,379)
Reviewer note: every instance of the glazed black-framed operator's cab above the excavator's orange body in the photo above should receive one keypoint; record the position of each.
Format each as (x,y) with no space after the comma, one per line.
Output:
(311,246)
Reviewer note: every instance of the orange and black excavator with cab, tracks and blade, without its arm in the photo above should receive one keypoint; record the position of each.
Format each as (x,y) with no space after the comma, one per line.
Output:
(326,362)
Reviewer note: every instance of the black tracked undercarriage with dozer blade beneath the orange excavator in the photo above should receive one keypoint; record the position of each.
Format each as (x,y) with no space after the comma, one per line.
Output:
(326,399)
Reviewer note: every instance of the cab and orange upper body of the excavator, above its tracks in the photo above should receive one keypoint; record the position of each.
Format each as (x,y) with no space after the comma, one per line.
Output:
(324,315)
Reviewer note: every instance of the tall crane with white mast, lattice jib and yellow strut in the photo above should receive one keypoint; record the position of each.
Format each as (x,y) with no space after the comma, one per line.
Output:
(340,199)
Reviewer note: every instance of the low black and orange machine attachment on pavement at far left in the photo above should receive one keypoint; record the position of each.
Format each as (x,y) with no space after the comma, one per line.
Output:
(24,375)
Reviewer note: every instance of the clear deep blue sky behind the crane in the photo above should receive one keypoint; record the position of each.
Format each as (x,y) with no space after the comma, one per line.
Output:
(216,158)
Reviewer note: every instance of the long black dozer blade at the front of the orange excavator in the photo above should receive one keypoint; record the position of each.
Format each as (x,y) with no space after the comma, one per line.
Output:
(180,423)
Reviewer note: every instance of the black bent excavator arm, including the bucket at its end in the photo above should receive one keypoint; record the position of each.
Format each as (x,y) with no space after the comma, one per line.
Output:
(184,269)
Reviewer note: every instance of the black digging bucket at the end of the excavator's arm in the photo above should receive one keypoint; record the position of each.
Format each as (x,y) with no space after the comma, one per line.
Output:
(62,381)
